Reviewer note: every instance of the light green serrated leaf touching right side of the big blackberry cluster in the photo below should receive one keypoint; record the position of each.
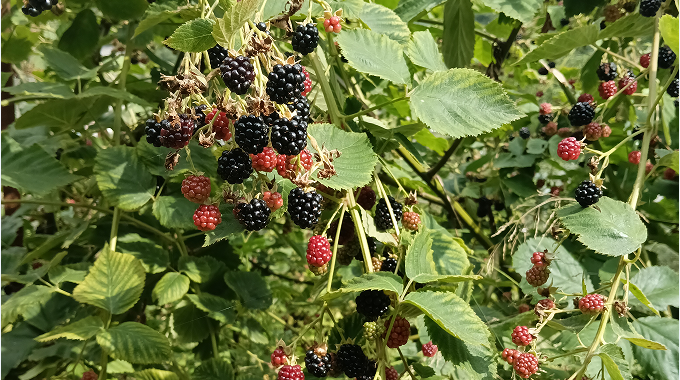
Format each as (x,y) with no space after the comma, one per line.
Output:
(354,167)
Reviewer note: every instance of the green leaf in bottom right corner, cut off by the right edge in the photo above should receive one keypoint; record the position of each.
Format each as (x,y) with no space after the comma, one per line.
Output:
(658,365)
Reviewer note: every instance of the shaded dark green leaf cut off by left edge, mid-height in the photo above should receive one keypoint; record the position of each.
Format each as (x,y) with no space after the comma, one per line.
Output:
(15,160)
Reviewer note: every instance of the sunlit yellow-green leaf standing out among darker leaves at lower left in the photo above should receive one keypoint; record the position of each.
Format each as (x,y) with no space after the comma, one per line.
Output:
(115,283)
